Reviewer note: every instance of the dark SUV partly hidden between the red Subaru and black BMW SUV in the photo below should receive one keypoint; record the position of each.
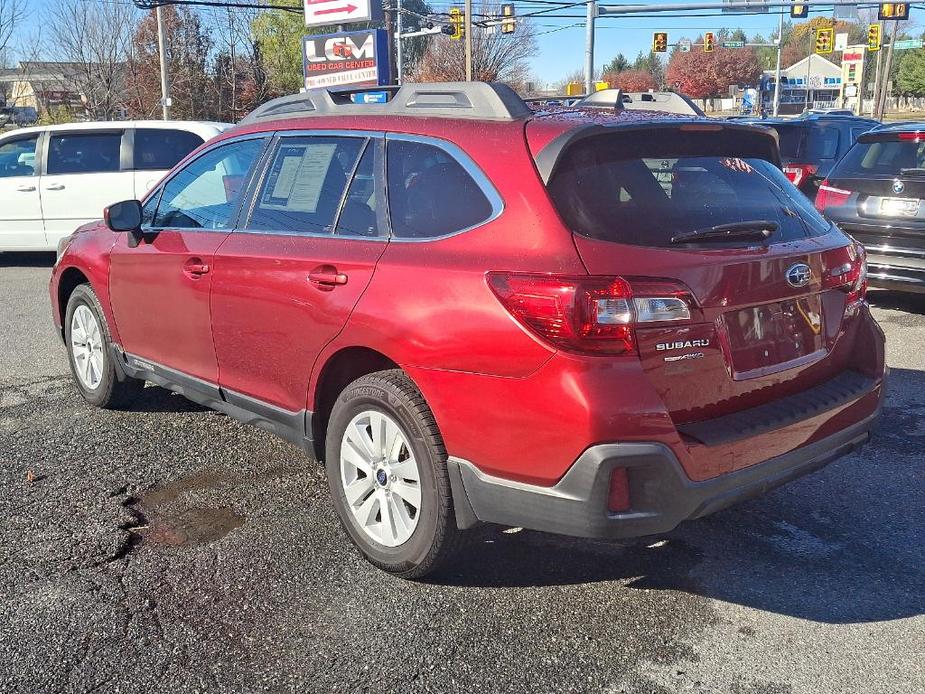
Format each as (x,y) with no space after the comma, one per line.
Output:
(812,144)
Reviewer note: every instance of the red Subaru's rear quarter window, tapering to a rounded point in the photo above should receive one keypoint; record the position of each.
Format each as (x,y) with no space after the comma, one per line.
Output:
(431,194)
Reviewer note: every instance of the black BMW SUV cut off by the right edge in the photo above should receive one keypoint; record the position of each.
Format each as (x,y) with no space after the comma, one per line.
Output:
(875,194)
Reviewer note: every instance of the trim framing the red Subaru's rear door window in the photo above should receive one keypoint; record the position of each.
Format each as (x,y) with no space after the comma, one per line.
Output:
(252,191)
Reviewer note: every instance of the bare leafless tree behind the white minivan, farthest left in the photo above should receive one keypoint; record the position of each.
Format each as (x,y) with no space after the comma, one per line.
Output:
(93,40)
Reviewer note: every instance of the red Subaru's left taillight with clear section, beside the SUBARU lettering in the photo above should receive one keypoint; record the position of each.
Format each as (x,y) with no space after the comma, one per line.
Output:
(593,315)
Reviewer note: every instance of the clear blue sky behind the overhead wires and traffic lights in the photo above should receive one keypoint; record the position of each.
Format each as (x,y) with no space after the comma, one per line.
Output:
(561,46)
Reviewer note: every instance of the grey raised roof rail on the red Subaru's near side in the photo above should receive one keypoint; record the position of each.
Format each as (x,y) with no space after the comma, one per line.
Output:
(477,100)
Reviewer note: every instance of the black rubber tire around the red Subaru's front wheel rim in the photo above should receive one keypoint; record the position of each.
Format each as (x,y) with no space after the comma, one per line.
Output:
(115,390)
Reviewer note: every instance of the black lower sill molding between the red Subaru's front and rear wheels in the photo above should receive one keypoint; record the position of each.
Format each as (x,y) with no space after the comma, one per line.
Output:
(294,427)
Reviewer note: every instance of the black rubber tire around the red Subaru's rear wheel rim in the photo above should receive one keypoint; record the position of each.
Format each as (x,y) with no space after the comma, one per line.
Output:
(435,539)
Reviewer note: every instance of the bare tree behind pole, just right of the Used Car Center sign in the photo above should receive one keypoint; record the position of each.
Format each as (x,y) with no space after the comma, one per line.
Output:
(496,57)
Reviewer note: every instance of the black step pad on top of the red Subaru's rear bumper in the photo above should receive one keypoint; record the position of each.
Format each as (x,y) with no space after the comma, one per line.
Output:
(845,388)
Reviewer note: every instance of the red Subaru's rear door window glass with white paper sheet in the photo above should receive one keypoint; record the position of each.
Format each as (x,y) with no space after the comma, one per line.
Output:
(305,185)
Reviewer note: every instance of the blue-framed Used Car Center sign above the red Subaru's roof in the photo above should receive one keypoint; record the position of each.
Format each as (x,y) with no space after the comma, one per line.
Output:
(348,58)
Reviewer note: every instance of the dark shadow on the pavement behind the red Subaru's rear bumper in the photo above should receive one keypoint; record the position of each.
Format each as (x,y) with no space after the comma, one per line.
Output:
(841,546)
